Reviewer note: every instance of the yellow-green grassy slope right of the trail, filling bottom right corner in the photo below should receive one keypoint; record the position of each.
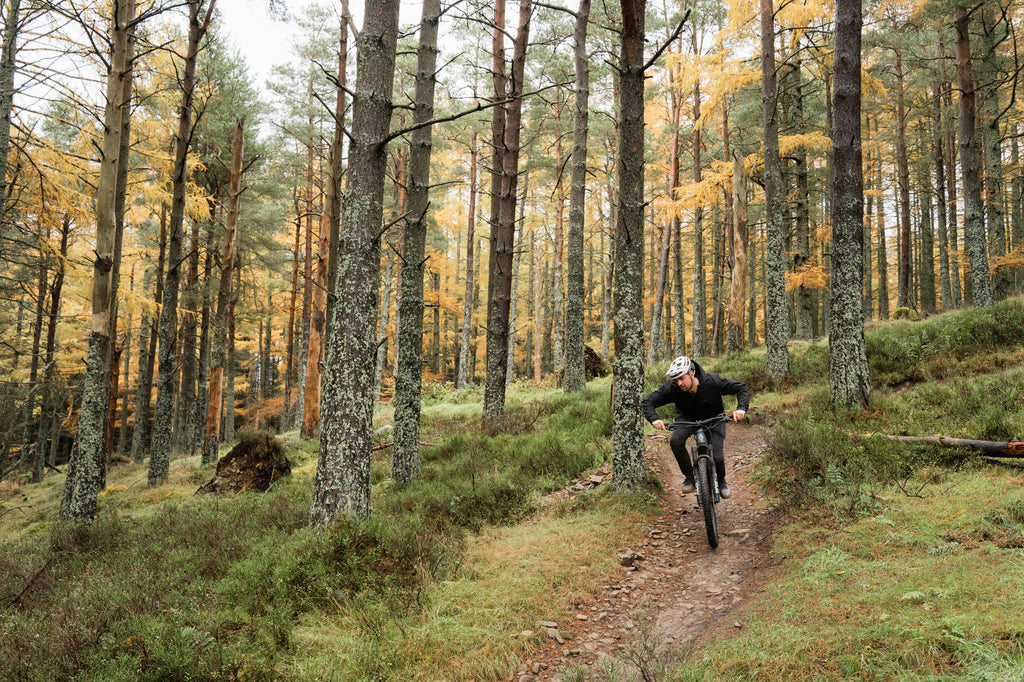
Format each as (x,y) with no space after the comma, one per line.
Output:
(923,590)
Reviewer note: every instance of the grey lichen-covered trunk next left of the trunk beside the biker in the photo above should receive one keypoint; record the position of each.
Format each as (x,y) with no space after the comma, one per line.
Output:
(575,373)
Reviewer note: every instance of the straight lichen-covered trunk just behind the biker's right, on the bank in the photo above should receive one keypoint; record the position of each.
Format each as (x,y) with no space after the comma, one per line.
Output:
(777,301)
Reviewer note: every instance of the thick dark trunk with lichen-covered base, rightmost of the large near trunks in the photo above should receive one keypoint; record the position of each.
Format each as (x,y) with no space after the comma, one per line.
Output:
(847,356)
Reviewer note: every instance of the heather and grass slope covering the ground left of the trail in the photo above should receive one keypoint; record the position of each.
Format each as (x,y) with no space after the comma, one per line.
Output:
(169,585)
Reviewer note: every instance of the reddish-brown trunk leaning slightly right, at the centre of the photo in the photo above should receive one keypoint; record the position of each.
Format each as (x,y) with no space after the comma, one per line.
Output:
(503,234)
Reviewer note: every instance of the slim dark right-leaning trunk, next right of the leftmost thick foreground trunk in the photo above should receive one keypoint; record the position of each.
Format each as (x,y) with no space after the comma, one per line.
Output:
(160,456)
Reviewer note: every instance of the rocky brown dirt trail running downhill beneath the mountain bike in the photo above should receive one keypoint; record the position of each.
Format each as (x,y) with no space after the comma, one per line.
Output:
(681,587)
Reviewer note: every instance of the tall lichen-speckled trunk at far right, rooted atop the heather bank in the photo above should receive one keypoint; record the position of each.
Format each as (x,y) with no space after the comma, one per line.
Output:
(974,226)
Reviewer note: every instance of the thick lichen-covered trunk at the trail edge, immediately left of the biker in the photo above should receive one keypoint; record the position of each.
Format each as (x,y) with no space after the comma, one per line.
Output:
(627,431)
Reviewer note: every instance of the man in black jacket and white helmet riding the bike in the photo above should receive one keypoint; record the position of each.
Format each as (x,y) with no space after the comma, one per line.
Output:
(698,395)
